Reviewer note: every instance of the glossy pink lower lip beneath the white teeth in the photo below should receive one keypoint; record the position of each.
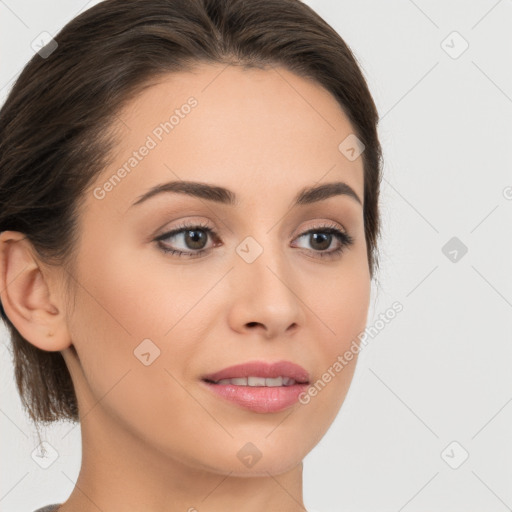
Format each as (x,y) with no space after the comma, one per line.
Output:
(259,398)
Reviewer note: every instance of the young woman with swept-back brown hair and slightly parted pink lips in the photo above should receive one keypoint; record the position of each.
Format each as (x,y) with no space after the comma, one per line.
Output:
(189,221)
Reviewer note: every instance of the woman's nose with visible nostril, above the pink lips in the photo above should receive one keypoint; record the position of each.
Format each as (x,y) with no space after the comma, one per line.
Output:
(265,296)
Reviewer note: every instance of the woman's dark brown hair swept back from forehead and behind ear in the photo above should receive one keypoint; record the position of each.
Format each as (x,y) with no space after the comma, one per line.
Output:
(54,125)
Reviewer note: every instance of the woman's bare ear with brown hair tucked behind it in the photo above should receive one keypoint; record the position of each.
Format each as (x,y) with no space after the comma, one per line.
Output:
(32,307)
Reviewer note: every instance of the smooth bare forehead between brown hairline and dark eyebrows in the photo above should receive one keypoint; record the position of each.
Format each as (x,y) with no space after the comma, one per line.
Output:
(255,130)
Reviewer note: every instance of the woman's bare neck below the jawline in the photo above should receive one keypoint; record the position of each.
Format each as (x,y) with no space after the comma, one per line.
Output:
(121,472)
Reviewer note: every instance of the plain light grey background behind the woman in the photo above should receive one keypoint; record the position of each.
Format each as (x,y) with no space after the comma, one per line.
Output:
(440,371)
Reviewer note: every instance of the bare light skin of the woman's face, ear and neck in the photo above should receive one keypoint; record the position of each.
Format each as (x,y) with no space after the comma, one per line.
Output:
(153,438)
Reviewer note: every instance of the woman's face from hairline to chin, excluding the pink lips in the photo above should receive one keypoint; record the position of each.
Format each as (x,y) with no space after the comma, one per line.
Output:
(260,279)
